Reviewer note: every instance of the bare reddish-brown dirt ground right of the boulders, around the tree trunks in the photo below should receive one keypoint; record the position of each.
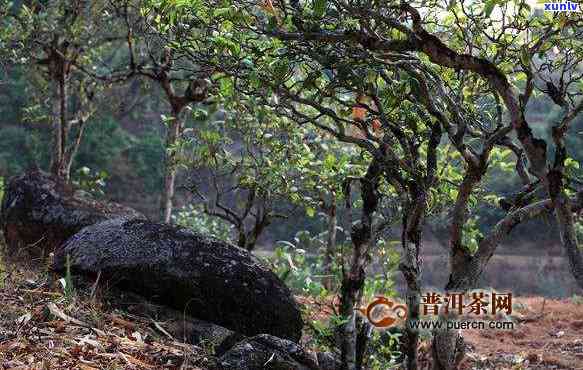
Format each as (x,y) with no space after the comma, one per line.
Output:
(548,334)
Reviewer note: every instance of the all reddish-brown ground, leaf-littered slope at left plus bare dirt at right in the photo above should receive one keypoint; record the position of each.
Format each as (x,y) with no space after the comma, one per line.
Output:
(41,328)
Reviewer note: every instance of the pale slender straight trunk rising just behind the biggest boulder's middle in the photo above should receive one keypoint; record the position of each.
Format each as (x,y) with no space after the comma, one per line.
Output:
(167,199)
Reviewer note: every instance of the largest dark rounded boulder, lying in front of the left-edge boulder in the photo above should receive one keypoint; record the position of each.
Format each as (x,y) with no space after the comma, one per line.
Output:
(193,273)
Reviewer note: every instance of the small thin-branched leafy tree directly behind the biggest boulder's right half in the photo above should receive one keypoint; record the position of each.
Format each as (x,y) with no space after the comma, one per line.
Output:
(237,174)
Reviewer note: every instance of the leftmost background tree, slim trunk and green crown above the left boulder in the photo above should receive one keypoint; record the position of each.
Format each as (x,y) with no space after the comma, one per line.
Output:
(57,41)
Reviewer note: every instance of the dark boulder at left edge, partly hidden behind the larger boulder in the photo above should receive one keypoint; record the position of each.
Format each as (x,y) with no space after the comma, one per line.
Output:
(39,213)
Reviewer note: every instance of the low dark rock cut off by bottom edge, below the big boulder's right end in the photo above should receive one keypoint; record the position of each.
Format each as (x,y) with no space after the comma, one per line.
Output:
(268,352)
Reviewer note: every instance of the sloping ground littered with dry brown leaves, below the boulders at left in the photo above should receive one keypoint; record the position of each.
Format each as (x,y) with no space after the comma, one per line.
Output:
(43,329)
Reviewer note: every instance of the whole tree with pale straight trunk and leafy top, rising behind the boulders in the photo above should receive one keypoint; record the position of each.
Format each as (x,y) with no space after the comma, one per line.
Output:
(149,36)
